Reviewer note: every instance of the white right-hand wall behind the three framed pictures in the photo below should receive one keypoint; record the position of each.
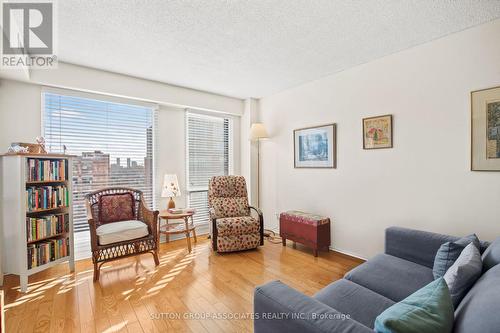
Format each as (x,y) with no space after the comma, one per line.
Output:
(425,181)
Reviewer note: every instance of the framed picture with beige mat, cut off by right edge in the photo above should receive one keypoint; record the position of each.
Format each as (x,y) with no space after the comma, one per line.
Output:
(485,130)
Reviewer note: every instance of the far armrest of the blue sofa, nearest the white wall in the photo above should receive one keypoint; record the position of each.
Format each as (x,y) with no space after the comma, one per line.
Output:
(414,245)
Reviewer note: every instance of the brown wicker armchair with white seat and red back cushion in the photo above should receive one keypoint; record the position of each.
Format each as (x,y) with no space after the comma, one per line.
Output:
(120,226)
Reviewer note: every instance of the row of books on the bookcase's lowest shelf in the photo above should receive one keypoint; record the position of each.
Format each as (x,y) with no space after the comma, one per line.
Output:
(47,251)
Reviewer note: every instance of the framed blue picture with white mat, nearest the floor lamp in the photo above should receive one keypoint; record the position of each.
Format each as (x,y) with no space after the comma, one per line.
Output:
(315,147)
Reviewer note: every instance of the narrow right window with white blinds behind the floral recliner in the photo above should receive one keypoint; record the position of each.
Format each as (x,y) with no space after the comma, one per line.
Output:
(208,154)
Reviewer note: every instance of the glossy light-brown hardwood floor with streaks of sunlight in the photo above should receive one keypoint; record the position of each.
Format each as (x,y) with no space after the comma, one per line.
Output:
(135,296)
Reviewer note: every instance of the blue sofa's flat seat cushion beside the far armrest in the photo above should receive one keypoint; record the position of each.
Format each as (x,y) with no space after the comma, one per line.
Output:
(392,277)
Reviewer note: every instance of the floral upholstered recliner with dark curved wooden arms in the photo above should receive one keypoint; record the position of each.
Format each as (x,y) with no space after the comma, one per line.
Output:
(233,229)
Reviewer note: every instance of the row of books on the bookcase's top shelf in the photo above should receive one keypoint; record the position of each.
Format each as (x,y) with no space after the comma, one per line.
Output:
(46,170)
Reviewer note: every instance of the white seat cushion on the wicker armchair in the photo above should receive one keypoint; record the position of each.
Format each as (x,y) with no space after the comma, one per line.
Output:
(121,231)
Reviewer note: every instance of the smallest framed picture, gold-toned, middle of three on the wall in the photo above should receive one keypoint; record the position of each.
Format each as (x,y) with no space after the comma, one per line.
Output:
(377,132)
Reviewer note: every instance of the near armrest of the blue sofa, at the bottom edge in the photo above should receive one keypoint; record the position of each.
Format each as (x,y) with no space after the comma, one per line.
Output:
(279,308)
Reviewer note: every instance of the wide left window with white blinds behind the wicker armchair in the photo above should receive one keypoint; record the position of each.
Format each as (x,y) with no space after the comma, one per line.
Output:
(113,143)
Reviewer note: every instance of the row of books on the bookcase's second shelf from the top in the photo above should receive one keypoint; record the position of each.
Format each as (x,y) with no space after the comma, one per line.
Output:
(46,197)
